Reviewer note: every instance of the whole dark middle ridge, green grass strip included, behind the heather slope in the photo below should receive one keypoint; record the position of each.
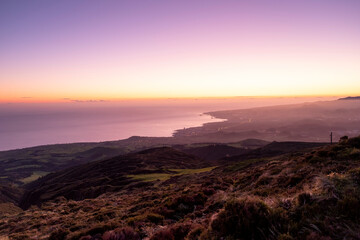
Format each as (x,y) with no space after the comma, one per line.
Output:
(92,179)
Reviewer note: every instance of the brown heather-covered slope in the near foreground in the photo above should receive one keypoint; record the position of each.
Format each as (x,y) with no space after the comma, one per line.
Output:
(308,194)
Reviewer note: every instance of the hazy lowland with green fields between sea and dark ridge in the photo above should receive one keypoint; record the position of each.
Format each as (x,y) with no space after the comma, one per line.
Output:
(22,166)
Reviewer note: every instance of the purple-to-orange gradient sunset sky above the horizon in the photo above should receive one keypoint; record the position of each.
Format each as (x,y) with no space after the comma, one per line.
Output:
(87,49)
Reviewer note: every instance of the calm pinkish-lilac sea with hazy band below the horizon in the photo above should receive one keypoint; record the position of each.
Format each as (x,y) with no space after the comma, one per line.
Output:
(31,124)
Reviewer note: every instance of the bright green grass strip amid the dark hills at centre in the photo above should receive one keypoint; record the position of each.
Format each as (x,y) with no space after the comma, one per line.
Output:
(164,176)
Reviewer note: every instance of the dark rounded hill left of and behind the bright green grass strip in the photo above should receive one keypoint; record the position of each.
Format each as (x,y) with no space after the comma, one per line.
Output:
(92,179)
